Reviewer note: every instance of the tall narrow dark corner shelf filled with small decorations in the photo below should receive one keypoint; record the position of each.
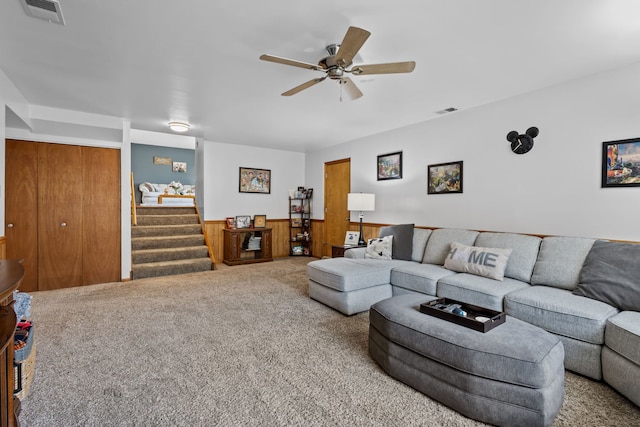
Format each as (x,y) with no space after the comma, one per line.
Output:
(300,242)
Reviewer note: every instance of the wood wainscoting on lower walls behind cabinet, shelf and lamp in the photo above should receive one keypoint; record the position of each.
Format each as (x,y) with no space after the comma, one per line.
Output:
(280,233)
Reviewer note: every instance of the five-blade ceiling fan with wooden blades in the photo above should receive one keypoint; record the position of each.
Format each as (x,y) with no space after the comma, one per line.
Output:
(336,65)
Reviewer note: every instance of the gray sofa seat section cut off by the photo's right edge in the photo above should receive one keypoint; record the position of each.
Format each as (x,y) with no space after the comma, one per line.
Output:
(622,335)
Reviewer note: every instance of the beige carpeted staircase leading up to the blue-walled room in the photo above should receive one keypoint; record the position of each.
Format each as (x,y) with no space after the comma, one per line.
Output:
(166,241)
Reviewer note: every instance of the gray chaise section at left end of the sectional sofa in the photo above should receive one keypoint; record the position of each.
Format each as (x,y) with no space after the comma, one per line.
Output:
(349,285)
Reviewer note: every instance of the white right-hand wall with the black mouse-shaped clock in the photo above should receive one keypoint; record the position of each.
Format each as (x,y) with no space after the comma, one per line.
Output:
(554,189)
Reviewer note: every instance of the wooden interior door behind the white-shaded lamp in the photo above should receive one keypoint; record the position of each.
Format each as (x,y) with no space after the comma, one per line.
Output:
(337,184)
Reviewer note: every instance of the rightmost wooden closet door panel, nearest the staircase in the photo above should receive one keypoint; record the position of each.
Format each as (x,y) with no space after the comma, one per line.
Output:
(101,215)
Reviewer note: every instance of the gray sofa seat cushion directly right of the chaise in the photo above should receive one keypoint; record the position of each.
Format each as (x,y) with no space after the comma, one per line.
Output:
(421,278)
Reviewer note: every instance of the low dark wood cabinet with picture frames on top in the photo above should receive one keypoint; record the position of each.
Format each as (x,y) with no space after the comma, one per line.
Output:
(247,245)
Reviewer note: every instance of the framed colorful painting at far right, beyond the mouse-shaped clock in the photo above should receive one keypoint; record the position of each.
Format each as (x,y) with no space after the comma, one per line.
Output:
(621,163)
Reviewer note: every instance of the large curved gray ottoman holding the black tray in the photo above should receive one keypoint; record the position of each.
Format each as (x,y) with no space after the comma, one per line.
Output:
(511,375)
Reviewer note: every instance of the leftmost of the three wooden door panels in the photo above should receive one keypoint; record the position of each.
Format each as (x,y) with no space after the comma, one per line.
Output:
(21,208)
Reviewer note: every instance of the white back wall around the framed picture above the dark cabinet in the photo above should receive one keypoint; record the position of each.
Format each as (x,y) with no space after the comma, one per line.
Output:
(222,162)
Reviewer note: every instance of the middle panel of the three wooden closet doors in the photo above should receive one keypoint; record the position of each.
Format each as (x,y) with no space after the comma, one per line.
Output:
(60,193)
